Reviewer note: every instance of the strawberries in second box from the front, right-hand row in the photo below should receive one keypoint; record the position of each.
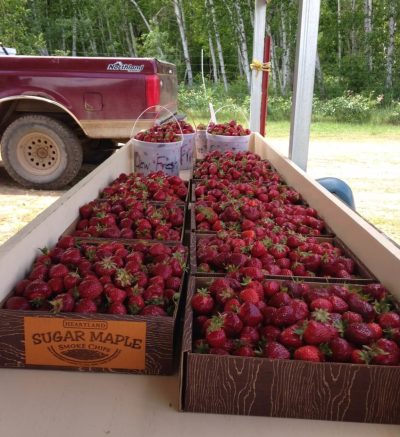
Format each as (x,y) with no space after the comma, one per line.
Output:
(272,253)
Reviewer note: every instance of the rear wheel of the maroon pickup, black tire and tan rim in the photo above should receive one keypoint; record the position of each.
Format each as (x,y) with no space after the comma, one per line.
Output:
(41,152)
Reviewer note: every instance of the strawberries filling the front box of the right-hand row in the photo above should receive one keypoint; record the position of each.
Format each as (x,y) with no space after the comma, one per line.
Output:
(297,320)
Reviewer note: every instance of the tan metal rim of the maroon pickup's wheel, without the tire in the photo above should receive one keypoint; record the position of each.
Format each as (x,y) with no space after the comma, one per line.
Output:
(38,153)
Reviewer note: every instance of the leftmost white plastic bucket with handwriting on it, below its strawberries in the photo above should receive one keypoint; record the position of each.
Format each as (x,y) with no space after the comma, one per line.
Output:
(152,157)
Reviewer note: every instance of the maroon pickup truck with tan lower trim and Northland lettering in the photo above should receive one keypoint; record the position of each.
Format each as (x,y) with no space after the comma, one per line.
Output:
(56,112)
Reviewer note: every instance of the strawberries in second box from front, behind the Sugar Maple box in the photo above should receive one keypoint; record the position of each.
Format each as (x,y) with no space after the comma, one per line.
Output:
(130,218)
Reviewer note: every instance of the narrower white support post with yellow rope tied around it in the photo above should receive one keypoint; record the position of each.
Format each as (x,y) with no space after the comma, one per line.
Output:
(258,54)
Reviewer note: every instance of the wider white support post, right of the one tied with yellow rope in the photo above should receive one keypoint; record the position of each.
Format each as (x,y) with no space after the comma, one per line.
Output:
(303,87)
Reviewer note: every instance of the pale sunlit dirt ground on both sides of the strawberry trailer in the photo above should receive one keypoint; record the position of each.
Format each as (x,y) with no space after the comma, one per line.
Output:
(371,168)
